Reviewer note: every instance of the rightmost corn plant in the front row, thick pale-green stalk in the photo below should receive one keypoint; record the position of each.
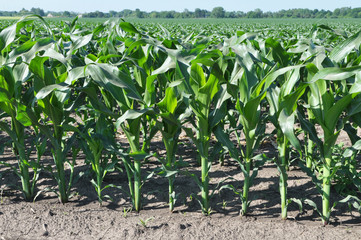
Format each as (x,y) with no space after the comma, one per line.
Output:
(329,112)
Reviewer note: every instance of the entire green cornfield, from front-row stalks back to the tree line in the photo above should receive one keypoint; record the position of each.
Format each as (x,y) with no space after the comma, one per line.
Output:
(106,90)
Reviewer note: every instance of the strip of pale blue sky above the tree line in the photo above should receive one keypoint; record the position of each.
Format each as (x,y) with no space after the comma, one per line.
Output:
(178,5)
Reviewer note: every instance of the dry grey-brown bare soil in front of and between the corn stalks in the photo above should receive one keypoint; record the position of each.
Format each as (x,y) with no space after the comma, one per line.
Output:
(84,218)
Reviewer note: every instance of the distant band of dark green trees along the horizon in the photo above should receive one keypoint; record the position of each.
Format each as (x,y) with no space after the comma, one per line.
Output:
(217,12)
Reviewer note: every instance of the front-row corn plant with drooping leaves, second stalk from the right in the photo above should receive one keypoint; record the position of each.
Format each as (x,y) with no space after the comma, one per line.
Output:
(282,97)
